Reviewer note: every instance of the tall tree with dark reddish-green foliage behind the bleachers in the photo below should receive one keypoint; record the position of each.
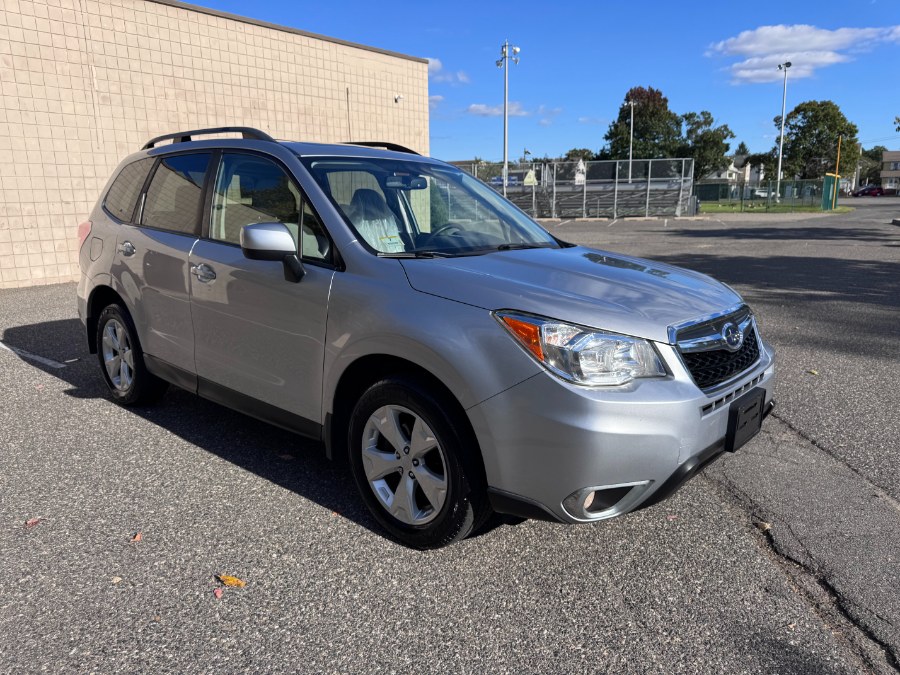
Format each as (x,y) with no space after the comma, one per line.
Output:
(657,130)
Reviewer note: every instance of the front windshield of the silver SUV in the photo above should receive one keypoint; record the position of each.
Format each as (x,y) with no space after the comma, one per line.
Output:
(409,208)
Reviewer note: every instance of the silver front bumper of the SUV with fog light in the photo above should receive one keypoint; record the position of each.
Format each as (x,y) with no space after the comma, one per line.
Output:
(545,440)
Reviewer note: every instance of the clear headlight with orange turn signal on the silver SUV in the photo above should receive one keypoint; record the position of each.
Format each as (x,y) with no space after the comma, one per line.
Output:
(583,355)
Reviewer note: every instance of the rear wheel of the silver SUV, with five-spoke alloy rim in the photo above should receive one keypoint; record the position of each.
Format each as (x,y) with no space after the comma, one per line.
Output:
(122,360)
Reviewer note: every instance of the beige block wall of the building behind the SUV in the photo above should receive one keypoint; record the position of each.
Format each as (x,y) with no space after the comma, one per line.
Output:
(84,83)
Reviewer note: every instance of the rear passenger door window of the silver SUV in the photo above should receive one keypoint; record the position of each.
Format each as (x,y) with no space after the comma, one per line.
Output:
(175,195)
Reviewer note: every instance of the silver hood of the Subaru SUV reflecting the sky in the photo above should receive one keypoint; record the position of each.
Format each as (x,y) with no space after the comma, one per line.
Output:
(594,288)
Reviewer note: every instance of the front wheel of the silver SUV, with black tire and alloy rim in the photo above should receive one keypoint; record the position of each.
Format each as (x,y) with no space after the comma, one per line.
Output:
(415,463)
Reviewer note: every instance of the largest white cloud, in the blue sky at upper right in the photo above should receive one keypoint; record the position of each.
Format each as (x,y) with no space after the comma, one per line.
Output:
(808,48)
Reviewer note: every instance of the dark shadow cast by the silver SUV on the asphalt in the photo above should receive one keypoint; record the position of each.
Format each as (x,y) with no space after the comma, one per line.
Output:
(278,456)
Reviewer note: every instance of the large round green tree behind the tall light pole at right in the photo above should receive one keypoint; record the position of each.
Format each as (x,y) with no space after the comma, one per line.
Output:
(811,134)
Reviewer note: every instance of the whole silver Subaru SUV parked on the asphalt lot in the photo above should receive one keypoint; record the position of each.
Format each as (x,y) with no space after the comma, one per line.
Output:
(461,359)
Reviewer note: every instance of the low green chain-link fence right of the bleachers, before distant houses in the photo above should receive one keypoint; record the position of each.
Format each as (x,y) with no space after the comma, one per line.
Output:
(793,195)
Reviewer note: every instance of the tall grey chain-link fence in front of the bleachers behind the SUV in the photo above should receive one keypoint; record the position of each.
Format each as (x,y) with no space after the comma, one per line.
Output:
(603,189)
